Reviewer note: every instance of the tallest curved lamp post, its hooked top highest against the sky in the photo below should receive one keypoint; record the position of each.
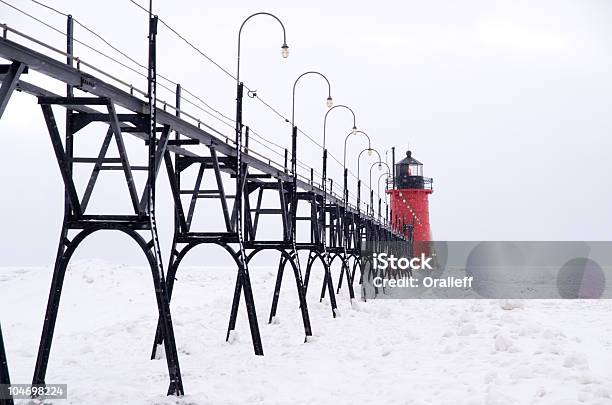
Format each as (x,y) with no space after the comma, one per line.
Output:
(239,94)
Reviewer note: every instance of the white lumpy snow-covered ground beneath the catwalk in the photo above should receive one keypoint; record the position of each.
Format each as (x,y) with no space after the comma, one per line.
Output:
(379,352)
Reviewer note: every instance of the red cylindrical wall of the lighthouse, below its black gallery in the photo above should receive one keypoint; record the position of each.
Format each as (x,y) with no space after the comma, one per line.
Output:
(415,210)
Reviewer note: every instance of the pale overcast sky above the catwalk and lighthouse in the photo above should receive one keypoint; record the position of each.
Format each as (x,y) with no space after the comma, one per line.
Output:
(507,104)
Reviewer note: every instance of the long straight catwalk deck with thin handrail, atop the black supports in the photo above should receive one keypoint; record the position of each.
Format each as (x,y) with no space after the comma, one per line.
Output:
(60,71)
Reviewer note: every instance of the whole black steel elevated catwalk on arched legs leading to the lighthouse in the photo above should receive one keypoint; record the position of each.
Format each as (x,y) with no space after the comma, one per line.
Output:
(338,230)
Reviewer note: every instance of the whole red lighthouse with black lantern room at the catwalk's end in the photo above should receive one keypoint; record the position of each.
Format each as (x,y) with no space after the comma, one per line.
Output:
(410,199)
